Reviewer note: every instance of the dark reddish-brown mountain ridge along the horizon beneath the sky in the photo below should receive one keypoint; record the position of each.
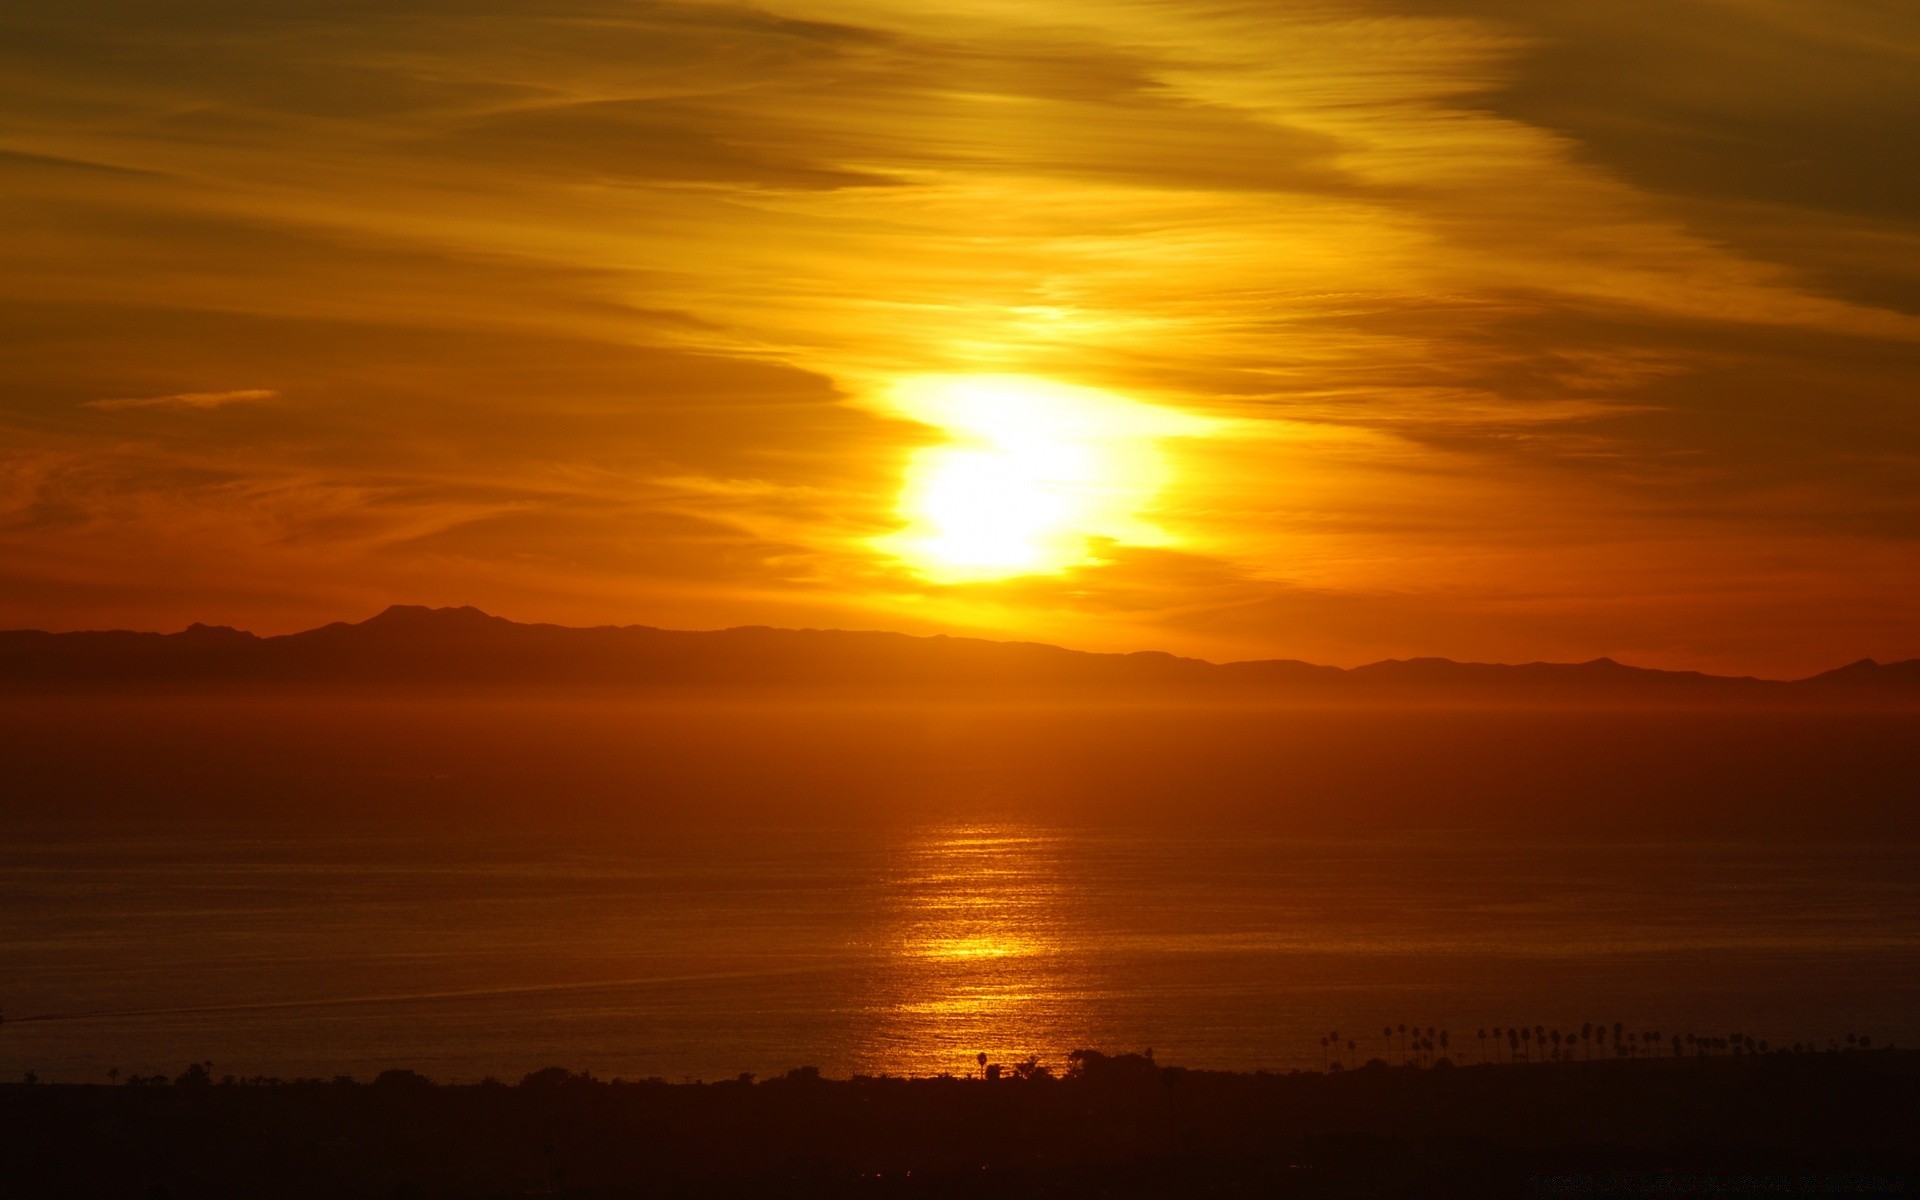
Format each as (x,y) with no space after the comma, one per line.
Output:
(412,646)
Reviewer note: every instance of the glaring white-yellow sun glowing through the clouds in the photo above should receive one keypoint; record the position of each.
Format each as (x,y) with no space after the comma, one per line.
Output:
(1032,479)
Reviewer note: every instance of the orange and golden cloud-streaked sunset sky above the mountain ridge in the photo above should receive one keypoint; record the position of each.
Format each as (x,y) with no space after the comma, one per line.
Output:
(1322,329)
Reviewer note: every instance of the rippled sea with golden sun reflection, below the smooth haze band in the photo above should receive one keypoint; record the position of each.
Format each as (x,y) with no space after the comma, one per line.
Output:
(713,951)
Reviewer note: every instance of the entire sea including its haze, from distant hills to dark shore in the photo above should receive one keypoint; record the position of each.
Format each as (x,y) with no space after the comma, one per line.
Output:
(444,917)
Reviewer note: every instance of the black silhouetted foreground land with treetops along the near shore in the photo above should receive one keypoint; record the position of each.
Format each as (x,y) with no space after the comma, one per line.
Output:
(1116,1126)
